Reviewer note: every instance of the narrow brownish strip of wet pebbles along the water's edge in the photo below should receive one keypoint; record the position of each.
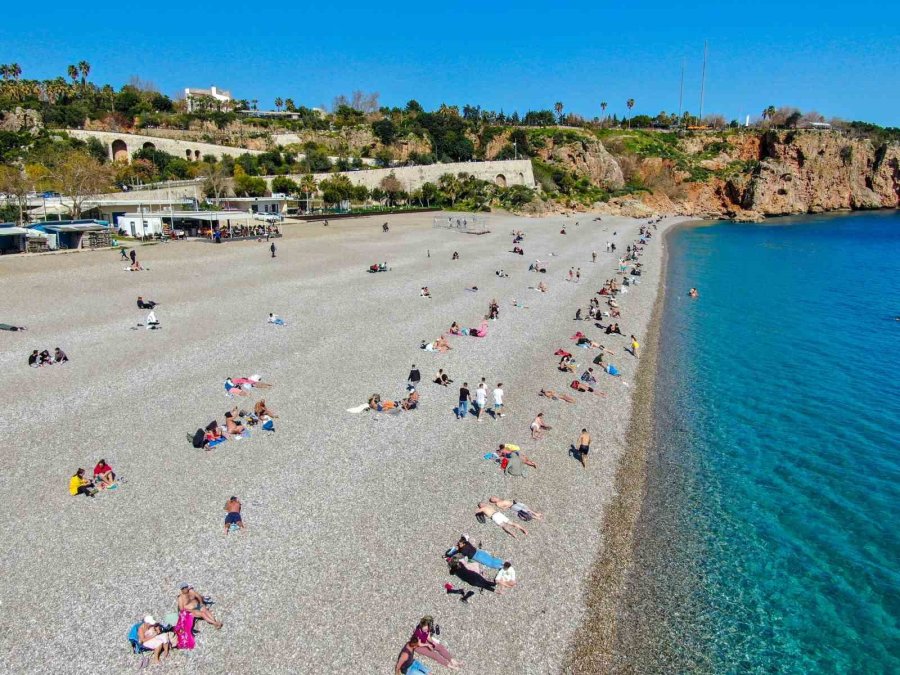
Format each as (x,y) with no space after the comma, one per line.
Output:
(606,592)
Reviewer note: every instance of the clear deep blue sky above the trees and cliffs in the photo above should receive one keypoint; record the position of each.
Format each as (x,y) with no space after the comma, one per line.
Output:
(841,59)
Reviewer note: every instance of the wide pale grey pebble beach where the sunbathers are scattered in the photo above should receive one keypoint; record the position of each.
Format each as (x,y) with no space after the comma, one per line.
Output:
(348,515)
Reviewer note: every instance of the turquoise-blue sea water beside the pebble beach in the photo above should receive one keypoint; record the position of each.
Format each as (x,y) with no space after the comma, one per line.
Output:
(770,539)
